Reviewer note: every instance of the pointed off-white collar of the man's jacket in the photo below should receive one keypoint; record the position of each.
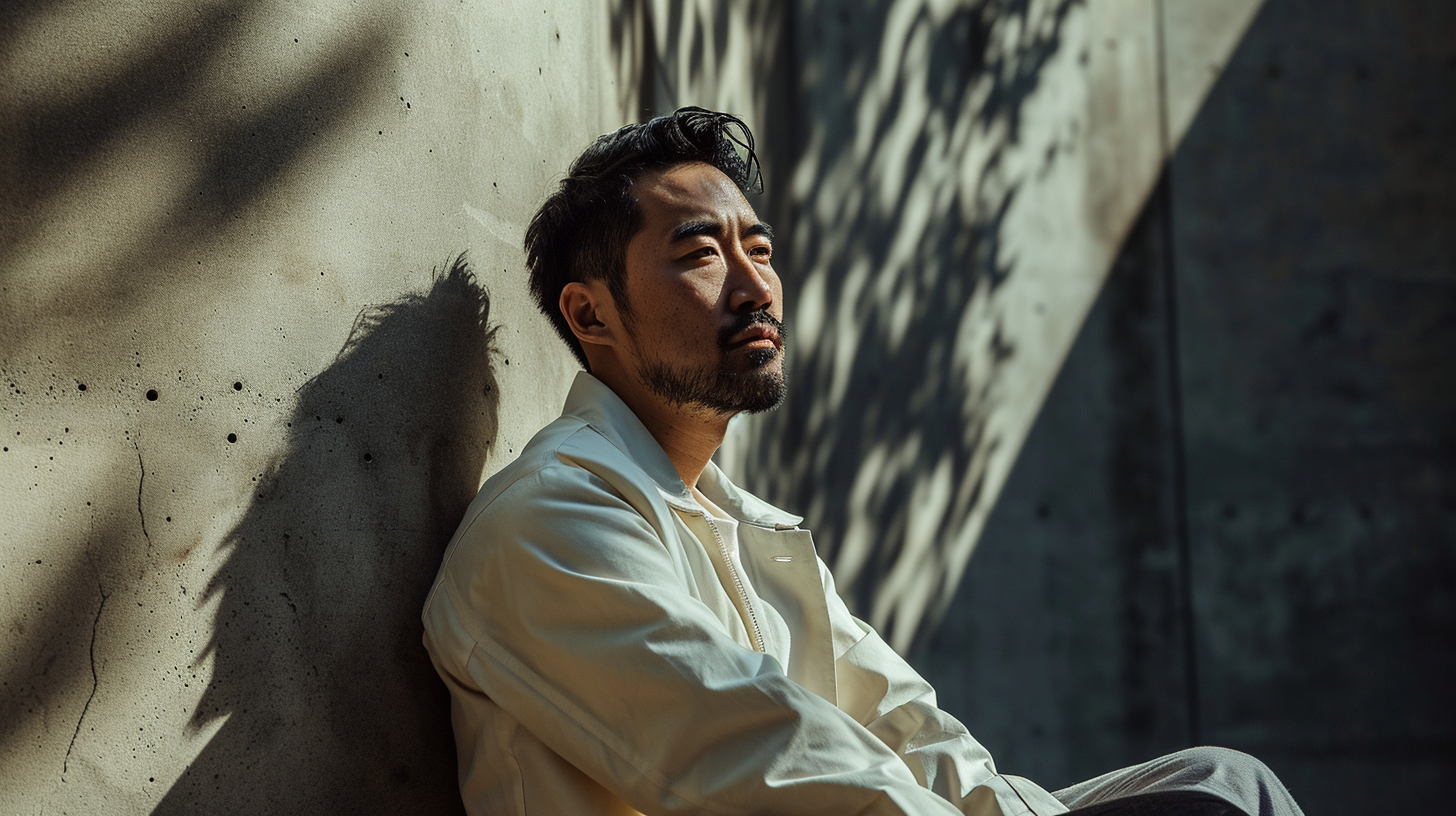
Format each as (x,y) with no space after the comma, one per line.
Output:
(593,403)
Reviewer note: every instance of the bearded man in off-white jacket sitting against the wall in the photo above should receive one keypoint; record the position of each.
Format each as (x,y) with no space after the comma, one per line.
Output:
(621,629)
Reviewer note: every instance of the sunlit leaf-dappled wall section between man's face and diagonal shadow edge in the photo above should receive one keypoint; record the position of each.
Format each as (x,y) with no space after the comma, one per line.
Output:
(963,178)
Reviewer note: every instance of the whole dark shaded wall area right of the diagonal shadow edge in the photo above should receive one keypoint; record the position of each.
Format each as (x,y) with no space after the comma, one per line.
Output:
(1263,403)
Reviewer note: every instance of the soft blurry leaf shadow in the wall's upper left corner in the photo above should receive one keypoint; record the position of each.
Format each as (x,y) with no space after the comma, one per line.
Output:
(114,177)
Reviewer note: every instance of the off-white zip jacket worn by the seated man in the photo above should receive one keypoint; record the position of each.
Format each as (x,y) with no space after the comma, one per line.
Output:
(598,665)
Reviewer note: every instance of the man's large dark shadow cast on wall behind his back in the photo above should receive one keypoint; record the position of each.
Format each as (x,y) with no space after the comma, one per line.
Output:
(330,699)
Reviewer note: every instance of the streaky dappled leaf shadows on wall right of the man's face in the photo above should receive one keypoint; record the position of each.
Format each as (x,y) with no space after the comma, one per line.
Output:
(896,269)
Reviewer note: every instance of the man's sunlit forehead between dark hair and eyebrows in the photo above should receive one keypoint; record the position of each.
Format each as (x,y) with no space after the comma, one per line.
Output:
(688,193)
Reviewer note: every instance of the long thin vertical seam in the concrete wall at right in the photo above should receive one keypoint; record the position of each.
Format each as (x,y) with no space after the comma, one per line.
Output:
(1180,464)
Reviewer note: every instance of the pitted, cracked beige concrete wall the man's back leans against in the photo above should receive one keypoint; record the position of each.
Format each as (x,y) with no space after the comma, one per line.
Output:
(247,400)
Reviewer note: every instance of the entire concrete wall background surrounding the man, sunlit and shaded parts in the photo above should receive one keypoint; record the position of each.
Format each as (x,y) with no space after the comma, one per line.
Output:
(1231,522)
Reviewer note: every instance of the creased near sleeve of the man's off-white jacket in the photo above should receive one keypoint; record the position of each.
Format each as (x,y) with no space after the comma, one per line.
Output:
(574,617)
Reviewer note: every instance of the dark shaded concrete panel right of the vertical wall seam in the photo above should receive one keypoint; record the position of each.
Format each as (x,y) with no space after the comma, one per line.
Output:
(1315,254)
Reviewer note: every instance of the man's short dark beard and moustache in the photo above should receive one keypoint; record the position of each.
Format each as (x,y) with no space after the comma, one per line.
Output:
(723,390)
